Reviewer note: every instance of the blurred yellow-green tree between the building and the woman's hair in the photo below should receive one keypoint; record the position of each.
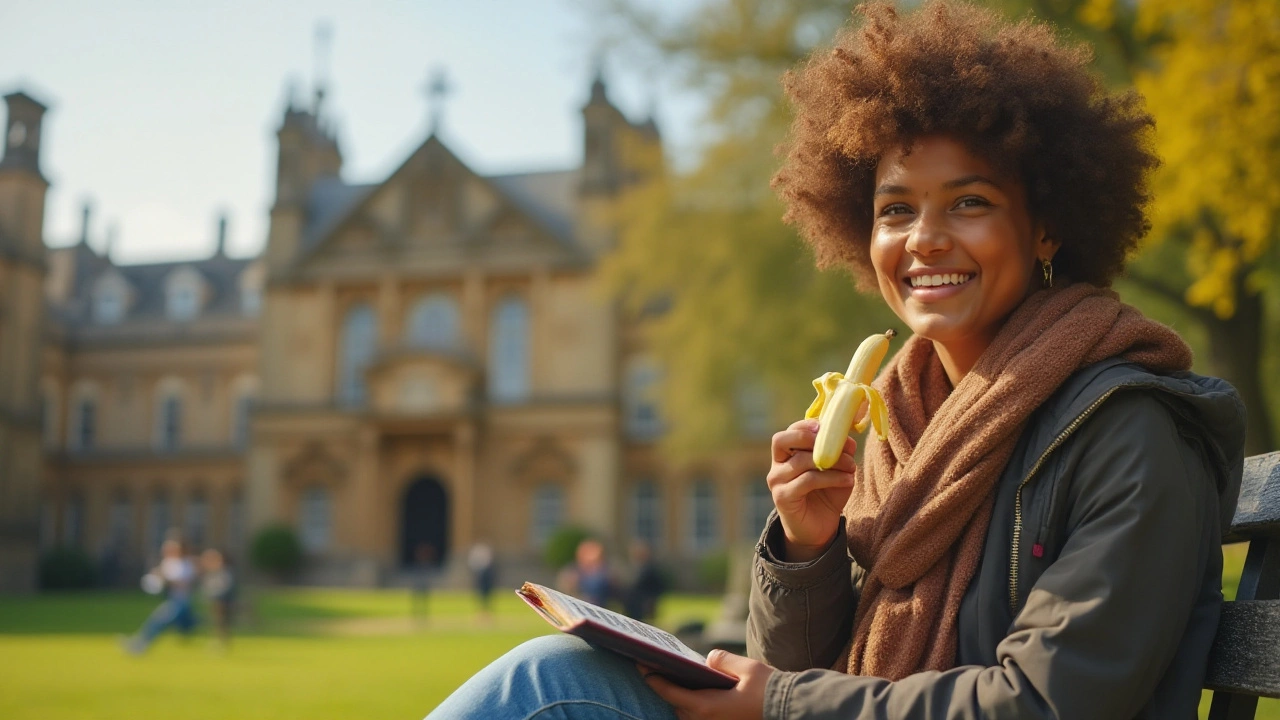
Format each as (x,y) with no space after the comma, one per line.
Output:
(742,302)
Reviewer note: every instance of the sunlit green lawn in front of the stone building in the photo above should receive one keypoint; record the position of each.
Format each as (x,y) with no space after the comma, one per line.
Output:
(304,654)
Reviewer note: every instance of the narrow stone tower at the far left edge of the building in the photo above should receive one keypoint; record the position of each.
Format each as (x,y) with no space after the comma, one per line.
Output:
(22,277)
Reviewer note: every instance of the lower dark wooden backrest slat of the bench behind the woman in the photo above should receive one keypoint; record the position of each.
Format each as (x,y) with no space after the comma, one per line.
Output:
(1246,657)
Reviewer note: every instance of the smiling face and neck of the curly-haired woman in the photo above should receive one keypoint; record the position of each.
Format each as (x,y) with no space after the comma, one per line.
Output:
(954,247)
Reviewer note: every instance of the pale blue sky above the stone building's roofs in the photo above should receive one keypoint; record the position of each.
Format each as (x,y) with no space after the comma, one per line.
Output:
(163,115)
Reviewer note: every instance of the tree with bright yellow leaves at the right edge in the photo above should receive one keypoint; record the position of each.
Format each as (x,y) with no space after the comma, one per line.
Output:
(1210,72)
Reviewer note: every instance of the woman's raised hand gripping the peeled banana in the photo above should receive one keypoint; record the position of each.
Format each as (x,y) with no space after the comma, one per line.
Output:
(810,502)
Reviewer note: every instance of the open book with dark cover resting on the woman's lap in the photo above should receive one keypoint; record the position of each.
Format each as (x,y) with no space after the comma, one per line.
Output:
(642,642)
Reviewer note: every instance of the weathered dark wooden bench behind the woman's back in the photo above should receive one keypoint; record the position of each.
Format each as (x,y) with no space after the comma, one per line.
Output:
(1245,663)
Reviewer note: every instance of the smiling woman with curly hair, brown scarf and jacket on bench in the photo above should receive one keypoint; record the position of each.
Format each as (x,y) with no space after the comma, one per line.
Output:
(1040,534)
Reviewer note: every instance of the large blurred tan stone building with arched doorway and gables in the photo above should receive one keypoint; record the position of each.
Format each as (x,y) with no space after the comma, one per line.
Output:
(412,366)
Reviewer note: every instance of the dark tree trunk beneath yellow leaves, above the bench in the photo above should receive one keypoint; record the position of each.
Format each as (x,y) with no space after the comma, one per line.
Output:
(1236,353)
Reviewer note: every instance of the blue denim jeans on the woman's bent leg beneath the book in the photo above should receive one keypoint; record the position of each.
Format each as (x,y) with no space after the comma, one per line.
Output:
(556,678)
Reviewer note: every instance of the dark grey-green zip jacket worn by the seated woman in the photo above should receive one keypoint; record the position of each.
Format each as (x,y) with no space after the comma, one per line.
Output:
(1100,585)
